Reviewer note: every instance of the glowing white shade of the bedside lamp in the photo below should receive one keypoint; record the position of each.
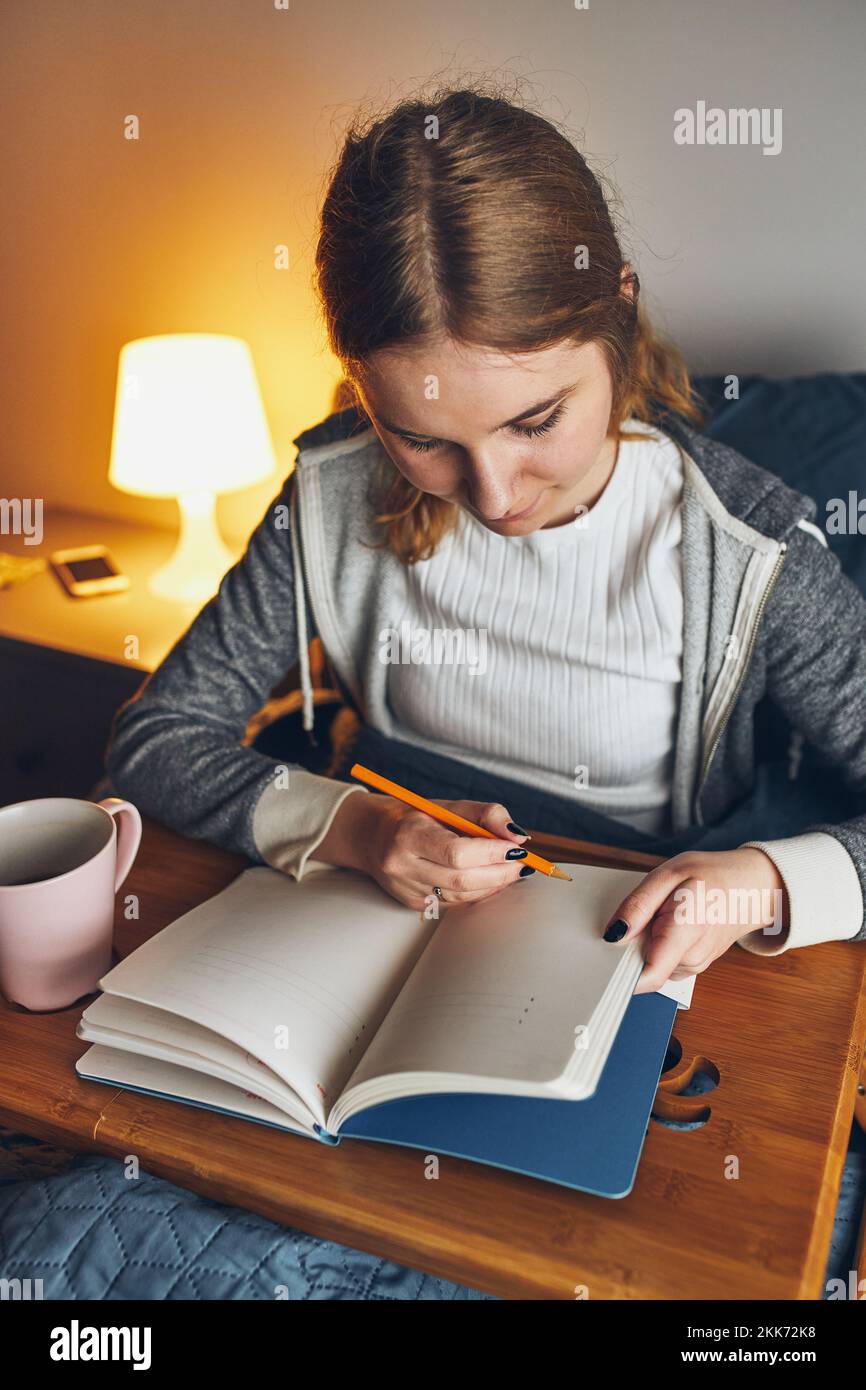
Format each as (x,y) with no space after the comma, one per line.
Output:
(188,418)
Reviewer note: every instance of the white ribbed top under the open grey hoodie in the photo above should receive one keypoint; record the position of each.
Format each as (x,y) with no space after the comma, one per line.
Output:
(578,636)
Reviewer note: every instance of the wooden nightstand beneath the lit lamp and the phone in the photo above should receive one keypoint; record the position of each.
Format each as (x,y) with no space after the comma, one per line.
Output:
(67,664)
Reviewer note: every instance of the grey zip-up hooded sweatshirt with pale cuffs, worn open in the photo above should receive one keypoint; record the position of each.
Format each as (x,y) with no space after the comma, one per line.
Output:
(767,611)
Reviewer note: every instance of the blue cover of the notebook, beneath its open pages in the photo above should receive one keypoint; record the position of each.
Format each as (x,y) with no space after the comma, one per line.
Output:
(593,1146)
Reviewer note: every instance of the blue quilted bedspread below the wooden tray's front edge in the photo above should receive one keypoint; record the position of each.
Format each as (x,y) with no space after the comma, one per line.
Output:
(94,1234)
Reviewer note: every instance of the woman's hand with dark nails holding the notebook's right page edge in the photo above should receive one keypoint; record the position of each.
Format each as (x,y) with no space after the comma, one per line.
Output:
(697,906)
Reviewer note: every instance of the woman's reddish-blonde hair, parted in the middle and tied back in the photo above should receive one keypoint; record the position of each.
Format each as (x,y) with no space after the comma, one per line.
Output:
(473,233)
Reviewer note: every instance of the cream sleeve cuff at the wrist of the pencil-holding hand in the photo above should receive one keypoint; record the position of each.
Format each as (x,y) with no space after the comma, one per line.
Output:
(291,821)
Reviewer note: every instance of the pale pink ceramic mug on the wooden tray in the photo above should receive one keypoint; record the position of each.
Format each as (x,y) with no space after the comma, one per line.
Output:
(62,861)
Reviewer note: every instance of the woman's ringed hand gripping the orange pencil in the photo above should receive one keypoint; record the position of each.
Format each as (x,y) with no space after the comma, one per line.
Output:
(409,854)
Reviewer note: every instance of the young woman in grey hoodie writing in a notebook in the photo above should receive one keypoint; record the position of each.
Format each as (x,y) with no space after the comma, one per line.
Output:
(550,600)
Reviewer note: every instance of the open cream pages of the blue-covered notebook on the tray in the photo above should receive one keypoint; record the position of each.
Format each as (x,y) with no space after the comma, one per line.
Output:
(308,1006)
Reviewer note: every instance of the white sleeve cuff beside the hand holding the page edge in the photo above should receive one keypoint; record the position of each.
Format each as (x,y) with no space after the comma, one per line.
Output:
(825,897)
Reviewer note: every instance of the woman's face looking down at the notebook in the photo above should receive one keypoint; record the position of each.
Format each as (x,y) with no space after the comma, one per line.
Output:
(497,437)
